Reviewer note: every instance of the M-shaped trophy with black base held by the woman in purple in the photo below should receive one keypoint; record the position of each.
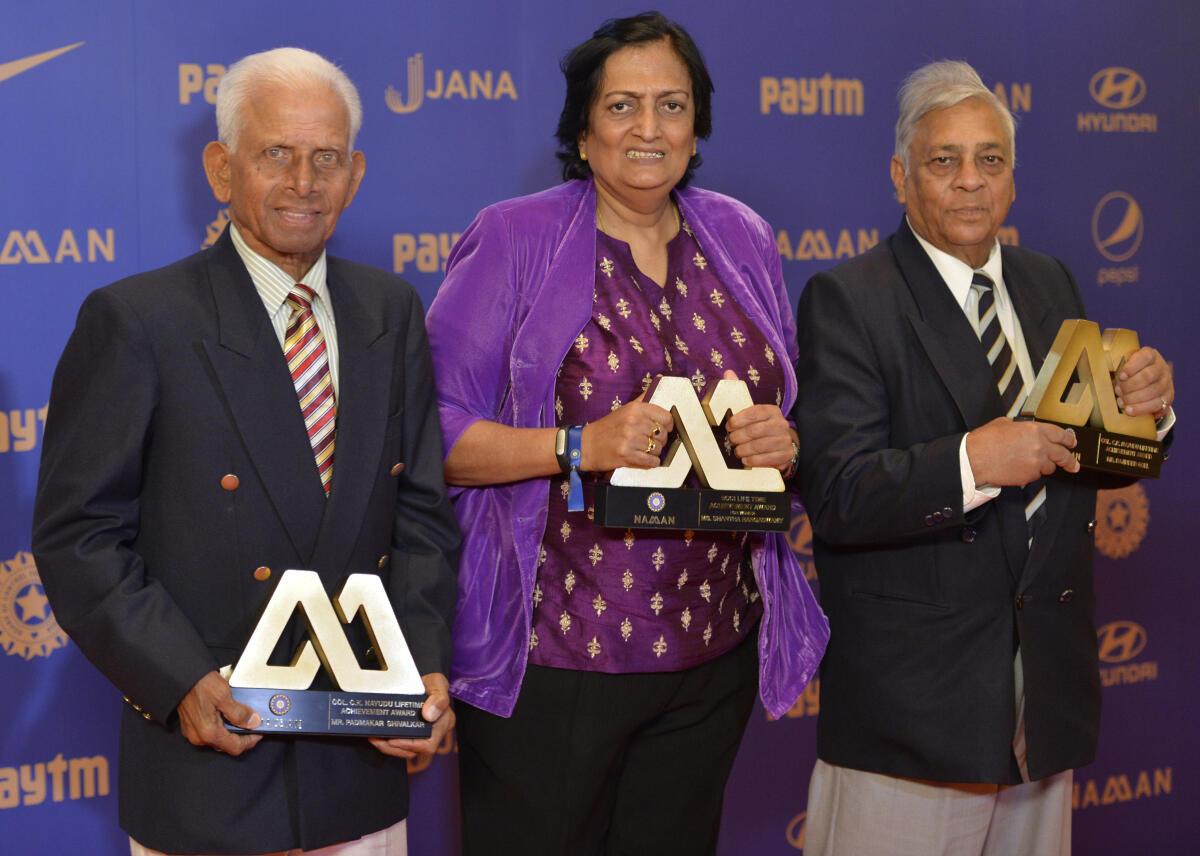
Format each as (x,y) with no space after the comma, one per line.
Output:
(753,500)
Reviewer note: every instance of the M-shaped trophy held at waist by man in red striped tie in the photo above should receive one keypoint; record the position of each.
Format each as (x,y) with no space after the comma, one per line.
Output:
(374,703)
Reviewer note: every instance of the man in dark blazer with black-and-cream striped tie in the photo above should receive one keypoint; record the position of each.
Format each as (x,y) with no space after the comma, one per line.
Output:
(961,686)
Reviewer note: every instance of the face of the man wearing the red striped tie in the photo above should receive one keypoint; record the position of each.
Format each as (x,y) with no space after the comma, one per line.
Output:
(292,175)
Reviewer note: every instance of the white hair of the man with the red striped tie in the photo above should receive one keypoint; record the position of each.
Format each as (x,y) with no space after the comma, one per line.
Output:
(292,68)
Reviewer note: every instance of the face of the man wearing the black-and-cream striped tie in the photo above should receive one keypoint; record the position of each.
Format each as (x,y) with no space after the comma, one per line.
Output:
(959,184)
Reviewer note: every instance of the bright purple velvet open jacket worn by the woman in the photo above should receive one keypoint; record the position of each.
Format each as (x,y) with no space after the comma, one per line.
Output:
(518,291)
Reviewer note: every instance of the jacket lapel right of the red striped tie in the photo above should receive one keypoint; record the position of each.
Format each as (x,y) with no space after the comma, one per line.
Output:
(367,366)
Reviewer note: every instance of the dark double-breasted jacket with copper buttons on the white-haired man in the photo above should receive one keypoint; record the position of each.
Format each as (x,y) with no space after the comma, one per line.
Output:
(171,381)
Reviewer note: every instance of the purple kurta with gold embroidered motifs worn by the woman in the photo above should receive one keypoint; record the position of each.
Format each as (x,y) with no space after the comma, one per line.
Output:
(647,601)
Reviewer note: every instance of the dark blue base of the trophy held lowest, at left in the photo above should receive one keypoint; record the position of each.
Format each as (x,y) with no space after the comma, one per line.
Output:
(334,713)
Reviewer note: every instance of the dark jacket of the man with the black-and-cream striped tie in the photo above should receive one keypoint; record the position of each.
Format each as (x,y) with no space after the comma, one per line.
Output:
(927,606)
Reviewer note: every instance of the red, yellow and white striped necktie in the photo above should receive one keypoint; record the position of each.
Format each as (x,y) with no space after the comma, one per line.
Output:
(309,363)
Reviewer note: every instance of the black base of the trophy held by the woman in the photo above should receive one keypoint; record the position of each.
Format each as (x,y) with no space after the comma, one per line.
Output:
(658,508)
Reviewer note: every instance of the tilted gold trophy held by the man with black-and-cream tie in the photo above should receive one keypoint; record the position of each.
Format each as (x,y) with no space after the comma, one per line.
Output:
(1075,390)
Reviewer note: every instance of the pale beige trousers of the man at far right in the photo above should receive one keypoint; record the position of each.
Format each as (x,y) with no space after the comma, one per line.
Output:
(856,813)
